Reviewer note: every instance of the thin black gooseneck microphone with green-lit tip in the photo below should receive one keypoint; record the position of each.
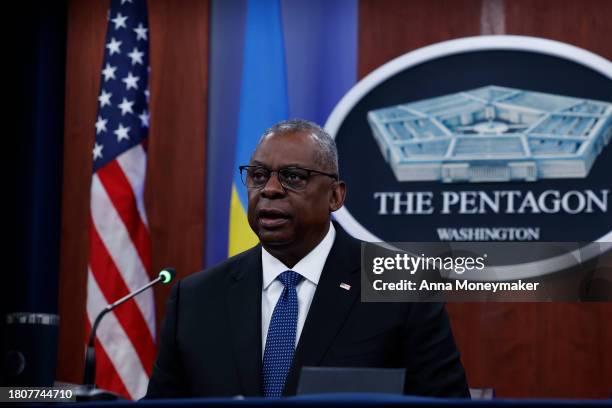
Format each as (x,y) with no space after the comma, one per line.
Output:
(88,391)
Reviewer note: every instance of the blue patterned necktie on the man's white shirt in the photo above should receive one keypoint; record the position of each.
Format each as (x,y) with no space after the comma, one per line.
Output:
(280,342)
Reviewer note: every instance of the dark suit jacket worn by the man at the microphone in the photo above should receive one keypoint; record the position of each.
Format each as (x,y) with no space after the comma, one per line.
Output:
(210,341)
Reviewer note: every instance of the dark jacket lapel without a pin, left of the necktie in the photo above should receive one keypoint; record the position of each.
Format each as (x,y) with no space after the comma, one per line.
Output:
(244,309)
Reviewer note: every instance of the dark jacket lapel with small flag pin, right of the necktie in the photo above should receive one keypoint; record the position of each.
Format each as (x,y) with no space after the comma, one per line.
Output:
(330,305)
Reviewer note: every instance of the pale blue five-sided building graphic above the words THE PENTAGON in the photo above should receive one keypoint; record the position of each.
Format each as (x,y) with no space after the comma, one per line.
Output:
(492,134)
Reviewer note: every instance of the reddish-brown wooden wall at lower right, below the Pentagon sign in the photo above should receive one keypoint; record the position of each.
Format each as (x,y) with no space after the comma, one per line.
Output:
(536,349)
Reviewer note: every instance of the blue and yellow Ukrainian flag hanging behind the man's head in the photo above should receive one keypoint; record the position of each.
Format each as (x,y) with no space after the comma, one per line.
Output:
(263,102)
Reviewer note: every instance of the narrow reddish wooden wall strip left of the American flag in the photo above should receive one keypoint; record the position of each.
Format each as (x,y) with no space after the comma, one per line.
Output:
(84,54)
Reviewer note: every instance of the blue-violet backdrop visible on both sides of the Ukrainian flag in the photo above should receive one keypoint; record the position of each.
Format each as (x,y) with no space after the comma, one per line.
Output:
(321,59)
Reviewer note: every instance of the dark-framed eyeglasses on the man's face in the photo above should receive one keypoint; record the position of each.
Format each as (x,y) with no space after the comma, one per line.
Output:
(292,178)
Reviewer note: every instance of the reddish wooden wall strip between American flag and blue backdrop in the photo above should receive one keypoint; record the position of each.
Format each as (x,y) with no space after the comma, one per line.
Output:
(174,193)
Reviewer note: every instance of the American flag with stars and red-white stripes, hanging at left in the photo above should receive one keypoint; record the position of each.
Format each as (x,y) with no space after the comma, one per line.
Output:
(119,241)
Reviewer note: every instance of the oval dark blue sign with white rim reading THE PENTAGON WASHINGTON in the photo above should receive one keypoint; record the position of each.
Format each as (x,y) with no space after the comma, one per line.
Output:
(489,138)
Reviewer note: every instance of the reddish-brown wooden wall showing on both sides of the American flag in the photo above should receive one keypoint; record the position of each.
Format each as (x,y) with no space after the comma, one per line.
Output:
(174,191)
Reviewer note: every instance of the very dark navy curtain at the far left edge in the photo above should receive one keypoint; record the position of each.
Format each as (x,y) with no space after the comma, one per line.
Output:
(40,80)
